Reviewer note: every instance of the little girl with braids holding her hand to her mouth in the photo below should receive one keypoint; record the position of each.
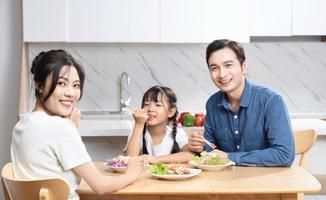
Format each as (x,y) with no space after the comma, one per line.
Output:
(152,134)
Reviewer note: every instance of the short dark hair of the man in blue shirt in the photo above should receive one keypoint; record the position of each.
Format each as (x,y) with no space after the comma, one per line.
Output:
(220,44)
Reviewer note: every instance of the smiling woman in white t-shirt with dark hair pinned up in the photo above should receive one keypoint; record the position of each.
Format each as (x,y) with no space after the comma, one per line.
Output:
(46,143)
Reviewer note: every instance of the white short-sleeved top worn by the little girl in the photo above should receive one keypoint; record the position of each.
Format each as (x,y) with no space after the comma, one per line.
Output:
(165,147)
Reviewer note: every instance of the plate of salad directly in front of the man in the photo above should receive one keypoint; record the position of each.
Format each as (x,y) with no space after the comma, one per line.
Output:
(210,161)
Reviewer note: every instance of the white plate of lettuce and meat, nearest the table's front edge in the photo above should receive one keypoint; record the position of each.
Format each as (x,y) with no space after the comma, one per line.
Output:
(172,171)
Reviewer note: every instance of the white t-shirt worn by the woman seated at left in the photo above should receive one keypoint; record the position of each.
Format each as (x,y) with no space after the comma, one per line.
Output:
(46,146)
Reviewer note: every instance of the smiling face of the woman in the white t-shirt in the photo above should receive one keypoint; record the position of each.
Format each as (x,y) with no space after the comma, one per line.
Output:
(66,94)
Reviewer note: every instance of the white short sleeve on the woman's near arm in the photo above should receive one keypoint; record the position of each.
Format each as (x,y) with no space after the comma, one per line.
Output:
(69,147)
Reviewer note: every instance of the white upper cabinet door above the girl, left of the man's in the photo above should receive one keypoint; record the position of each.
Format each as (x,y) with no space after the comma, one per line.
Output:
(181,21)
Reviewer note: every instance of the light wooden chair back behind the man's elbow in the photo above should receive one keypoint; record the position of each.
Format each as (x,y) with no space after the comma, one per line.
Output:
(304,140)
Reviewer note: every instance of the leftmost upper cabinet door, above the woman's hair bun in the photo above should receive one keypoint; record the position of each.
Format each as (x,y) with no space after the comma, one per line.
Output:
(44,20)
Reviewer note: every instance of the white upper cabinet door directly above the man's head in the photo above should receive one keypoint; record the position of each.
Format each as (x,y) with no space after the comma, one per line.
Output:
(226,19)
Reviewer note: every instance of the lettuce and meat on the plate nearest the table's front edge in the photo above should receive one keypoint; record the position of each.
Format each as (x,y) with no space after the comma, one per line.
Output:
(169,169)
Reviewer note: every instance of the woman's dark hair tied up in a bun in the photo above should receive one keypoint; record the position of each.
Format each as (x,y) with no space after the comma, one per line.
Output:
(50,63)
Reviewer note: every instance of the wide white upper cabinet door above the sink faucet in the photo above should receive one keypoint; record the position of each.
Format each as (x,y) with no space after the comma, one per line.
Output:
(113,20)
